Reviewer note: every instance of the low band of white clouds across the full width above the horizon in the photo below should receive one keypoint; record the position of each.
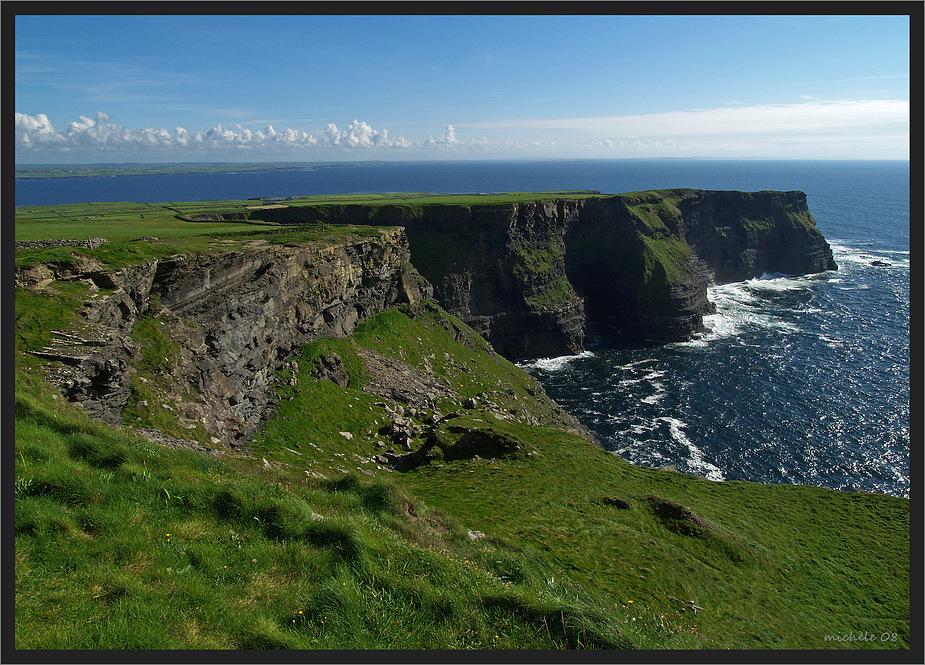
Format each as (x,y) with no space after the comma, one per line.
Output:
(845,129)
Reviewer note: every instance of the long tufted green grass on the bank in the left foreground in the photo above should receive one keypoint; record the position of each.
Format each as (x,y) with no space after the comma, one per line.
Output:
(121,544)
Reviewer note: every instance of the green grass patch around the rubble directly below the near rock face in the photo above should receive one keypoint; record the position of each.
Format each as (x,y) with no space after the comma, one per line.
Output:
(311,416)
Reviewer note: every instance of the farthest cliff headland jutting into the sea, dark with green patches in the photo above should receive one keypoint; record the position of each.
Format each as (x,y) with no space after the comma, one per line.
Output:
(644,260)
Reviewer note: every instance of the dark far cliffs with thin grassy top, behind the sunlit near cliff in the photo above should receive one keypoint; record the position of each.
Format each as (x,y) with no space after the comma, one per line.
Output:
(534,277)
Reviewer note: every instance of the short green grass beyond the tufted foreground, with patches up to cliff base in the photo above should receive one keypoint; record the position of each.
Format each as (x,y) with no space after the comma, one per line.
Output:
(776,567)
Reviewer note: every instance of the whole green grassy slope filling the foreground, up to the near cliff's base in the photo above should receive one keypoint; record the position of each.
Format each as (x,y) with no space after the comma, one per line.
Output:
(771,566)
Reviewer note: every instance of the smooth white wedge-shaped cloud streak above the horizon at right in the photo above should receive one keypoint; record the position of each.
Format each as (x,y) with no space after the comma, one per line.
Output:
(845,129)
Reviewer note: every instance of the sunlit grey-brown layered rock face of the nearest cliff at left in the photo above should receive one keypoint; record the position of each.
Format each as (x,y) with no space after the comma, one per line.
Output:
(228,322)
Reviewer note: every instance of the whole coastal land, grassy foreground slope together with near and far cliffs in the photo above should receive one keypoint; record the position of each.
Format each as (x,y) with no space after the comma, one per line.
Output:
(488,521)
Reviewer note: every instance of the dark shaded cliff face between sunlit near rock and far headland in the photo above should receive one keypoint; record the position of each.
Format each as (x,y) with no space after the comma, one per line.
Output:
(502,270)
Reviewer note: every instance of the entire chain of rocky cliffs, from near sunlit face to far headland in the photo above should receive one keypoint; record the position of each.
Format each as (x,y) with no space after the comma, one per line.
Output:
(212,329)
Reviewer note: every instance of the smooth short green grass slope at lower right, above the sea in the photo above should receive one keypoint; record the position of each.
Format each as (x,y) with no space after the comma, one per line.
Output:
(776,566)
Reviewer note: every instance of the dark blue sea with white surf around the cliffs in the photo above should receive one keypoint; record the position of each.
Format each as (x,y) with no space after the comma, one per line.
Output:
(800,380)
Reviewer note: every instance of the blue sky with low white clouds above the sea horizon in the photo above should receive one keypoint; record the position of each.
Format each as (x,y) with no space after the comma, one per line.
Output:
(211,88)
